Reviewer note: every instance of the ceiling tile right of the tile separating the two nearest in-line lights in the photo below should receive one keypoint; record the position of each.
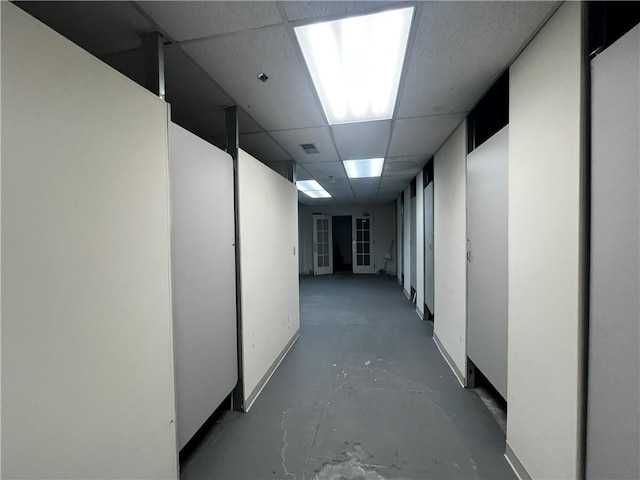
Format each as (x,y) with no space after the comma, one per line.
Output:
(422,136)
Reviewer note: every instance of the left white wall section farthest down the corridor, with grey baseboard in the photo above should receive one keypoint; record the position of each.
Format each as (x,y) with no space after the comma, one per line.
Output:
(268,220)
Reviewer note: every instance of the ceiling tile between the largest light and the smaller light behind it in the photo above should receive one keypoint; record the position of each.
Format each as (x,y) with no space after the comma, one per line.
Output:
(362,140)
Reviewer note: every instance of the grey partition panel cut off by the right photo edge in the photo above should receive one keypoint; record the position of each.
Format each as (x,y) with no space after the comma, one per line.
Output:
(613,421)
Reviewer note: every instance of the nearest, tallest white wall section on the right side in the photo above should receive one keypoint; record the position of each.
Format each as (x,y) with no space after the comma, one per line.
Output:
(545,249)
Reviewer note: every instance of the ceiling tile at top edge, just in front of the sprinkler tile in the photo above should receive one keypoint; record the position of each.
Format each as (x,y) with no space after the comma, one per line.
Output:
(204,19)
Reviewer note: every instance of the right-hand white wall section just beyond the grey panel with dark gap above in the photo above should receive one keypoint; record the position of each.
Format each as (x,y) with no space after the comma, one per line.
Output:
(450,246)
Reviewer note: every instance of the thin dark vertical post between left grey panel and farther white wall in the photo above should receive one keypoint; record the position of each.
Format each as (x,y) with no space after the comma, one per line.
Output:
(233,140)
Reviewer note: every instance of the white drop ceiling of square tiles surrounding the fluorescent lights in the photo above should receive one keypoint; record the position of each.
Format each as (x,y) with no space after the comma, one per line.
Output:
(214,51)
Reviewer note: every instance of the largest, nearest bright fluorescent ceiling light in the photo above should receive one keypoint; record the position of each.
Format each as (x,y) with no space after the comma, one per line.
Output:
(356,63)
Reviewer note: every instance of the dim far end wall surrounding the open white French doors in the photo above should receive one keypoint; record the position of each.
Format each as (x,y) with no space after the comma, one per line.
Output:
(384,230)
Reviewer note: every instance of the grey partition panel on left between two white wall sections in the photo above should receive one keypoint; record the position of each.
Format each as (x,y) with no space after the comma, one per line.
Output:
(202,278)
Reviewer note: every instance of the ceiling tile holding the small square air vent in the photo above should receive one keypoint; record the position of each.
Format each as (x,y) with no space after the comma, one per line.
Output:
(319,136)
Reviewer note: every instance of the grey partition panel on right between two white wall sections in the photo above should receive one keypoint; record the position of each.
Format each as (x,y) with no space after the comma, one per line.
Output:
(487,266)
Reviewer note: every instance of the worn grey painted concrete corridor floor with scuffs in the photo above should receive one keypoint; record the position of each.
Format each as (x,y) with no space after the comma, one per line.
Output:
(363,394)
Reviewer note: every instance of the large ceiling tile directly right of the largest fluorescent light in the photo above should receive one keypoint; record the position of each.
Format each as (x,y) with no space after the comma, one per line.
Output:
(460,49)
